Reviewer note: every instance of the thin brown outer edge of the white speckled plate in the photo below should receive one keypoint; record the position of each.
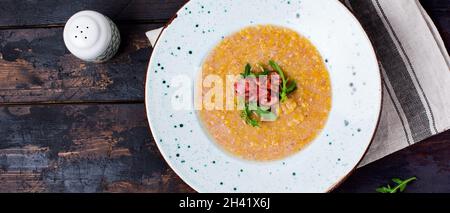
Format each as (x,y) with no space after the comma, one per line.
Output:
(337,182)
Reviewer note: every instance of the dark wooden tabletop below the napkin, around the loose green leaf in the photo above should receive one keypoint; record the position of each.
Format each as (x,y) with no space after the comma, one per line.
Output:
(429,161)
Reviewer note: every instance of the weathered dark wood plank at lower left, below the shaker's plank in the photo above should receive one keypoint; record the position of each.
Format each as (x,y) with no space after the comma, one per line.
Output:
(81,148)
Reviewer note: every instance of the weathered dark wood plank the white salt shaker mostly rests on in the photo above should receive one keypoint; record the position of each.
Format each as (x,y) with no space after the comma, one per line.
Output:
(35,66)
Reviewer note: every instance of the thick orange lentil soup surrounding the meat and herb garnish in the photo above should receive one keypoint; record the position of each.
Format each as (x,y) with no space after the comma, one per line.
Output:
(302,117)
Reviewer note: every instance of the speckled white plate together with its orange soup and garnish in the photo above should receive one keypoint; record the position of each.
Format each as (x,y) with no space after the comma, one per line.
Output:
(263,96)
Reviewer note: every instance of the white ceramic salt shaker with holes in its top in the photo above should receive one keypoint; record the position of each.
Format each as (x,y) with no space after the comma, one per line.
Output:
(91,36)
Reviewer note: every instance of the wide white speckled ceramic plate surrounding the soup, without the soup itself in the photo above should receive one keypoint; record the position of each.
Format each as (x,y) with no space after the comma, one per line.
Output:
(356,100)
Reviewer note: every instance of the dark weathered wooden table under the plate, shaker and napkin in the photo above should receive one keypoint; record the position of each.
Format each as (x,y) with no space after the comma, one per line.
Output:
(70,126)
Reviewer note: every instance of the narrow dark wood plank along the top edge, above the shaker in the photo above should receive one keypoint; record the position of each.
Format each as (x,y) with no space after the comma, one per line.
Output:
(21,13)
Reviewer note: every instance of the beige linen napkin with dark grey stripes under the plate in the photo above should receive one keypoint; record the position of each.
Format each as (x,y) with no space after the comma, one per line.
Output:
(415,69)
